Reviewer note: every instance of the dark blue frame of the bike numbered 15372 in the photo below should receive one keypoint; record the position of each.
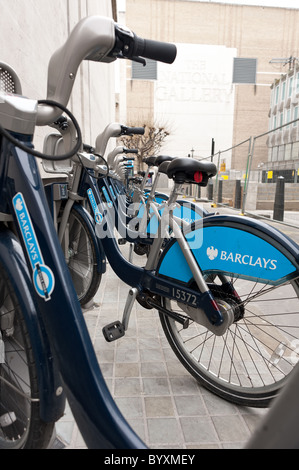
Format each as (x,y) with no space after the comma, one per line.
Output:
(145,279)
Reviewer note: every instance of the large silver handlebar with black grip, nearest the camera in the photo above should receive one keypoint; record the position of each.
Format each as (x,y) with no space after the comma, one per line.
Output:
(98,39)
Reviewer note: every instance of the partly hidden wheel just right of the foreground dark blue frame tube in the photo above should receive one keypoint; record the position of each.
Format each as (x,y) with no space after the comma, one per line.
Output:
(81,258)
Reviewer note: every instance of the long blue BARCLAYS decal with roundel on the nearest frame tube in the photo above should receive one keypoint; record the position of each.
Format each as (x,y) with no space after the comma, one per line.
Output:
(43,278)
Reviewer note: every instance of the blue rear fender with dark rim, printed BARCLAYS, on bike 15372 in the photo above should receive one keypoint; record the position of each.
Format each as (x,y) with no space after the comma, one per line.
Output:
(236,246)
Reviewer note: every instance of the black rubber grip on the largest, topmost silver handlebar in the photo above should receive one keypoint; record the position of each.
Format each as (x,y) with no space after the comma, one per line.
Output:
(155,50)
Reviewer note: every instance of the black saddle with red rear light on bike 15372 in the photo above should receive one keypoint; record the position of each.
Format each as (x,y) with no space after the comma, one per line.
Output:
(187,170)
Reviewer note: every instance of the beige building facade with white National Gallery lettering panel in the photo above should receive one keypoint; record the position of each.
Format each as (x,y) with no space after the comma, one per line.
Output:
(209,105)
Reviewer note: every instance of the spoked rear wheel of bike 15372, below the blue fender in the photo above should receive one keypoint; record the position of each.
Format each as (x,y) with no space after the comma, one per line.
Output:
(249,364)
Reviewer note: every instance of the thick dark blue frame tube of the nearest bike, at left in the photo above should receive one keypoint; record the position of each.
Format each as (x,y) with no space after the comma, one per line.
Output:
(99,420)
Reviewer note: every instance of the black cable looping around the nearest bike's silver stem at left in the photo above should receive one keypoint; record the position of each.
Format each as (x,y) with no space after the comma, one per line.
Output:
(35,153)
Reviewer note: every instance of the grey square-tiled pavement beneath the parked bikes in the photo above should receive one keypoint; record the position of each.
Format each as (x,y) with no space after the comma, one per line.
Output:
(162,402)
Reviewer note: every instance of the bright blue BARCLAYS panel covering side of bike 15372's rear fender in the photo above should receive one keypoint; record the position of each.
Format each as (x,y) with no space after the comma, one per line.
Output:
(231,251)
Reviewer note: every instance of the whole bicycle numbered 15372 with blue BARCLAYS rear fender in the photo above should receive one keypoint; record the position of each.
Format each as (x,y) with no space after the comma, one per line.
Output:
(220,284)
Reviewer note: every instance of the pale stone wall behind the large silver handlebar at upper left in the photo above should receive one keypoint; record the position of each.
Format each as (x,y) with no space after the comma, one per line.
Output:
(31,31)
